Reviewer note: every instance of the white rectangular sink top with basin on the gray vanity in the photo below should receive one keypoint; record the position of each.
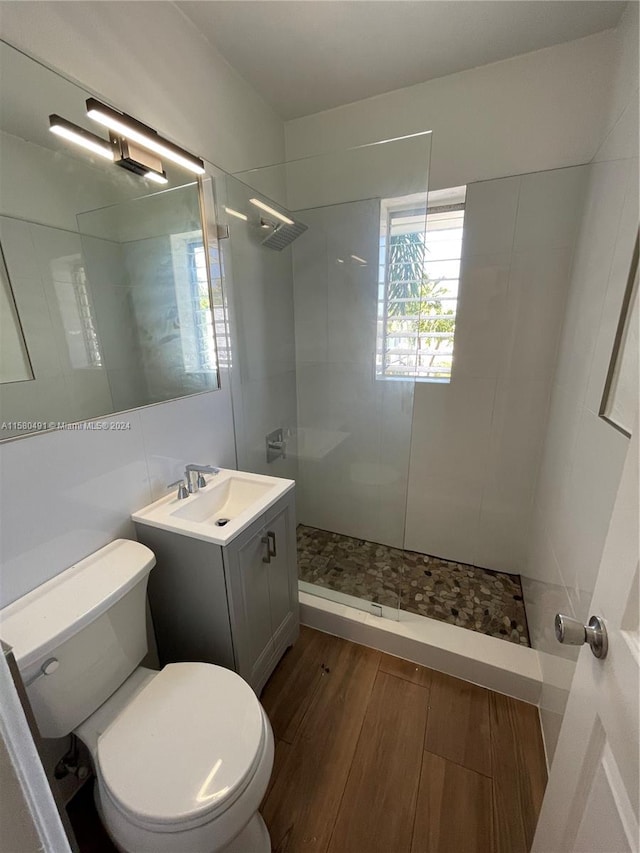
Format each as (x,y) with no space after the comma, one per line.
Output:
(219,511)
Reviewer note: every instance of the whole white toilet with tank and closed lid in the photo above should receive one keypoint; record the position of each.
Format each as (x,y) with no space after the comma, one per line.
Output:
(182,757)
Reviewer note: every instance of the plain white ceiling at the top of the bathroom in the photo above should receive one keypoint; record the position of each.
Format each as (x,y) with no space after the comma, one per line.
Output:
(304,56)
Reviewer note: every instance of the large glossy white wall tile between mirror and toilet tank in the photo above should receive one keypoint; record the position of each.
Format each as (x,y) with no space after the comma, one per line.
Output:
(64,494)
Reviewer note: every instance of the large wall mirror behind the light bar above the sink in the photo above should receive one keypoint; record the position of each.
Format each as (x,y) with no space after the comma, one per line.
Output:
(106,298)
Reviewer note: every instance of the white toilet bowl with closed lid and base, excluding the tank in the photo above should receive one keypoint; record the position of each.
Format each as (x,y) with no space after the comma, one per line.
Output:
(182,759)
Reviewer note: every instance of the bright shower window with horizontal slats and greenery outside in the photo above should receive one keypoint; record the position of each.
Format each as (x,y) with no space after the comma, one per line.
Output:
(420,250)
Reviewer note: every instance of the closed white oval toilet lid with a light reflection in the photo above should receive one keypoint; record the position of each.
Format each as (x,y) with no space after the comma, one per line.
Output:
(184,748)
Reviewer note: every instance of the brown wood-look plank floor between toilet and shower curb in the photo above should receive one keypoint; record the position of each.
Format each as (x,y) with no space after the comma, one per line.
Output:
(378,755)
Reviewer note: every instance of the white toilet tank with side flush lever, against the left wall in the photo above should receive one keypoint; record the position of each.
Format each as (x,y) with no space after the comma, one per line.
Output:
(79,636)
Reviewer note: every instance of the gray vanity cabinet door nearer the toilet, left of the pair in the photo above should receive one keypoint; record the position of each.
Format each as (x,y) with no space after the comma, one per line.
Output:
(248,575)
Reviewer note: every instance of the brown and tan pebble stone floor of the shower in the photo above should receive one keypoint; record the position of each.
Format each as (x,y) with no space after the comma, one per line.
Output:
(482,600)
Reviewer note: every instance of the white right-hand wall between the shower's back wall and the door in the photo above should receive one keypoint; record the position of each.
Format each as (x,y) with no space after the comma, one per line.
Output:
(583,456)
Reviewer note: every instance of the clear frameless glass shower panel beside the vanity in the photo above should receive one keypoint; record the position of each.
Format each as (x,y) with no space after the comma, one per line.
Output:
(350,434)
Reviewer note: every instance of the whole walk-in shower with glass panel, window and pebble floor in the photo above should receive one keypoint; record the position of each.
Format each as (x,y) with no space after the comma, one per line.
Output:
(390,359)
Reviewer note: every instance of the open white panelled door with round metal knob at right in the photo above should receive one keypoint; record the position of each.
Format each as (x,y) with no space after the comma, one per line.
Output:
(591,801)
